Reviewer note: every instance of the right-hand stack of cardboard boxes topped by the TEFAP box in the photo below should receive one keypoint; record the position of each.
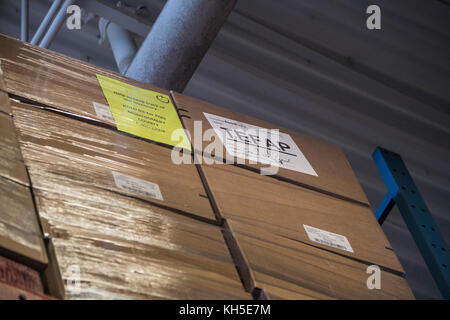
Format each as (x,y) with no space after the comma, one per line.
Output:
(305,233)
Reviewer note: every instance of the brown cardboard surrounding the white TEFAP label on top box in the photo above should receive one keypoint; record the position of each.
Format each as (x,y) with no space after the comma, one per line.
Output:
(335,174)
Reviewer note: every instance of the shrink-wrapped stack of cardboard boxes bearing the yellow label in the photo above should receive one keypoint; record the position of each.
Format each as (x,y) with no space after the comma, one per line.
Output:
(121,217)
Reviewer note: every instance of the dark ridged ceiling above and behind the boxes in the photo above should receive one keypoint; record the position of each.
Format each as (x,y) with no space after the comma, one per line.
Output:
(314,67)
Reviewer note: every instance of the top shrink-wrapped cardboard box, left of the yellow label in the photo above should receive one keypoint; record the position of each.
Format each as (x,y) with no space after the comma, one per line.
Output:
(55,80)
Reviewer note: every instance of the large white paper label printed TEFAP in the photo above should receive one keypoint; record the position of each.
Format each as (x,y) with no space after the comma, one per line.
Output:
(267,146)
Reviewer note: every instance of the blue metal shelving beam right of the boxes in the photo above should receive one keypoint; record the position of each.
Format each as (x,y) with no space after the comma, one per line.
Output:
(403,192)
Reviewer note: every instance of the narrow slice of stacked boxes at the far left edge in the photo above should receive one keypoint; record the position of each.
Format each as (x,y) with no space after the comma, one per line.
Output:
(21,238)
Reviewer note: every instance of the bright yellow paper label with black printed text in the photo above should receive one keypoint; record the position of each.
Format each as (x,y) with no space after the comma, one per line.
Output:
(144,113)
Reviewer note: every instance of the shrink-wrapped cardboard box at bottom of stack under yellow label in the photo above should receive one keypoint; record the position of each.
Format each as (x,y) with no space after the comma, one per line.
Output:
(130,249)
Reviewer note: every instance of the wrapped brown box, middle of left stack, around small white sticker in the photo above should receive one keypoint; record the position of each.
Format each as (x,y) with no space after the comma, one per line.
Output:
(56,145)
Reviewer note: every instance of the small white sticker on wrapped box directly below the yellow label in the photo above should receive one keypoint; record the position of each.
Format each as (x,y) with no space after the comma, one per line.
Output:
(136,185)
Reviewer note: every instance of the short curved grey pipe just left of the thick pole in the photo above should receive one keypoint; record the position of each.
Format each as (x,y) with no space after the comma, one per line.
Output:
(122,44)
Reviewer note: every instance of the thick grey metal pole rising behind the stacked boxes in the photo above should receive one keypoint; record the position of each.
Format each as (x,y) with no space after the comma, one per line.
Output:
(177,42)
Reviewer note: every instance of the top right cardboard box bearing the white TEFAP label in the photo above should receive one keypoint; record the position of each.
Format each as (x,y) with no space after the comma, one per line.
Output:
(334,174)
